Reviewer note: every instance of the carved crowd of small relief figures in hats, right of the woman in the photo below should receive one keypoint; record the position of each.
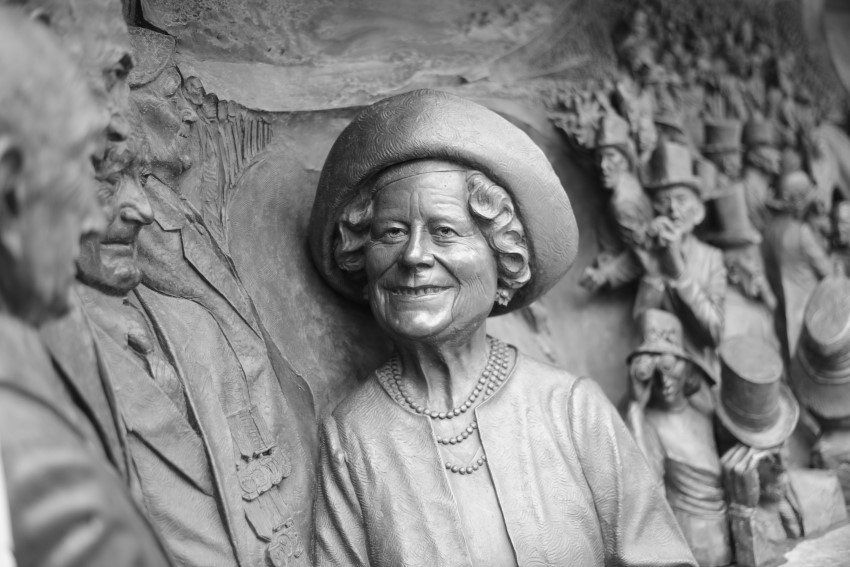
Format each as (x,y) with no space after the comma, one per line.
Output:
(726,209)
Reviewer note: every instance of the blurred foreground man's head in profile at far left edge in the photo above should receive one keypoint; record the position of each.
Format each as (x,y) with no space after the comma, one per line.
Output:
(50,131)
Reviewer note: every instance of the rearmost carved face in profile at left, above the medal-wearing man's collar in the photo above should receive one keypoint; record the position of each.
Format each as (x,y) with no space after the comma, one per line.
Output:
(167,118)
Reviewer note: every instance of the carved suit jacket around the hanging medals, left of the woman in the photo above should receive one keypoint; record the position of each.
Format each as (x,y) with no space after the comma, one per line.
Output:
(208,322)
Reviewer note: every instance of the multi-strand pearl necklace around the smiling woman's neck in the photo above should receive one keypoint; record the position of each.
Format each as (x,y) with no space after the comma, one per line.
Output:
(495,373)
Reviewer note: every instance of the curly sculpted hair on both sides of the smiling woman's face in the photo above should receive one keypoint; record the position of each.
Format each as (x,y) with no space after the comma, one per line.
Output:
(490,206)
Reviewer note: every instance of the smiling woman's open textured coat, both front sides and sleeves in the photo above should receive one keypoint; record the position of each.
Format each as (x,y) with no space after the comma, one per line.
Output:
(573,487)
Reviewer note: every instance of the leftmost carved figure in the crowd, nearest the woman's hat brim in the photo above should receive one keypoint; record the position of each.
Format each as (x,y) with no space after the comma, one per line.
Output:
(628,206)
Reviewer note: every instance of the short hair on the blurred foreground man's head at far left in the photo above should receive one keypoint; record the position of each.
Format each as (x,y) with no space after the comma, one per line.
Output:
(44,103)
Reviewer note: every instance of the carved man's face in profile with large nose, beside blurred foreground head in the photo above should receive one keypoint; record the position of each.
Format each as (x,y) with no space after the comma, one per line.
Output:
(109,262)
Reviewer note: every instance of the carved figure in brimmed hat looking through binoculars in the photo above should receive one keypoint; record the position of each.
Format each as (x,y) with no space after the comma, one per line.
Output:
(678,438)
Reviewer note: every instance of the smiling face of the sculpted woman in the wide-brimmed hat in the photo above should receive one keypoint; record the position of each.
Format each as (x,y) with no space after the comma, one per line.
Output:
(431,273)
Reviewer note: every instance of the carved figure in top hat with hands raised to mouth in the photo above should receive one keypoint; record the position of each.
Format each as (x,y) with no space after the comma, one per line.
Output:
(682,274)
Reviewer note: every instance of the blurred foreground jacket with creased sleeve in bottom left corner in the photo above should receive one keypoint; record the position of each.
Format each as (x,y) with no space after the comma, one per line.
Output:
(67,505)
